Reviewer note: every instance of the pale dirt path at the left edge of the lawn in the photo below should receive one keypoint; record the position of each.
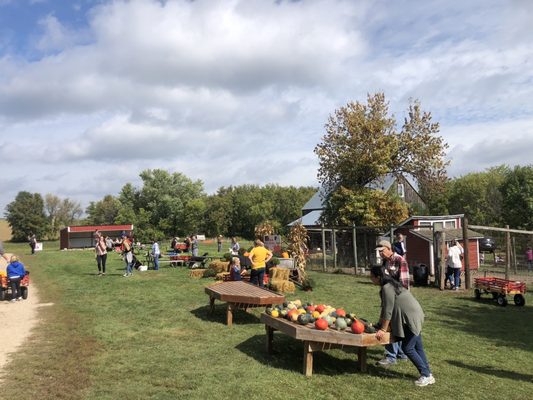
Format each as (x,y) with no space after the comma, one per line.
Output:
(18,319)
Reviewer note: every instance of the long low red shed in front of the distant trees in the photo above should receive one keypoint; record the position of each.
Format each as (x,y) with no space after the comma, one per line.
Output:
(80,237)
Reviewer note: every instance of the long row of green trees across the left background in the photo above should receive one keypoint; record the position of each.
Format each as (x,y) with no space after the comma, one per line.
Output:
(167,204)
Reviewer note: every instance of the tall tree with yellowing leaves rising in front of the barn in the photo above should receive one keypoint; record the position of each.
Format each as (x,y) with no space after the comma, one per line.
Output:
(362,144)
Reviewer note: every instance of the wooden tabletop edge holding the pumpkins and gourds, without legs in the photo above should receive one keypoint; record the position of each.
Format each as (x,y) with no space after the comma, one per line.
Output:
(310,333)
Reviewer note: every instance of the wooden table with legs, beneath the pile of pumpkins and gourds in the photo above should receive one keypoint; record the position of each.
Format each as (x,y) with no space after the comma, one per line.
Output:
(317,340)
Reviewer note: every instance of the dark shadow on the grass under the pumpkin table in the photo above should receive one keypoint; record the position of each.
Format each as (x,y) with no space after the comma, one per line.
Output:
(287,354)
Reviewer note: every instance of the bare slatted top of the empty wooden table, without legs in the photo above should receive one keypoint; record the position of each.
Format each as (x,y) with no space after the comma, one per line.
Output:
(243,292)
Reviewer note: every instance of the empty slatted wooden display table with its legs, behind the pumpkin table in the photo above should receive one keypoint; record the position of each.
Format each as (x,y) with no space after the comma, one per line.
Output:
(242,295)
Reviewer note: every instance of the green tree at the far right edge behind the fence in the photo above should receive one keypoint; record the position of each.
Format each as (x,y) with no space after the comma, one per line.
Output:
(517,192)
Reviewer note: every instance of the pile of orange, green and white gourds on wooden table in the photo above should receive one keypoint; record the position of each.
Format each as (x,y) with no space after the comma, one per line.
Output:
(321,317)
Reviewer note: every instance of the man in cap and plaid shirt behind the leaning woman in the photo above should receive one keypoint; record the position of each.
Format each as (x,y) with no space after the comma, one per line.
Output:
(396,267)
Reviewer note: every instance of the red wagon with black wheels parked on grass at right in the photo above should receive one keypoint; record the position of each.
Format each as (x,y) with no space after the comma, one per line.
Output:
(500,288)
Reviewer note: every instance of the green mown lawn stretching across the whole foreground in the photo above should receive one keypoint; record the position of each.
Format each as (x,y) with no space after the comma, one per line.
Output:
(151,337)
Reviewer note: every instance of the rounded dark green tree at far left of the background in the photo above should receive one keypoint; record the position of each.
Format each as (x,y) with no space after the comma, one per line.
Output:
(26,215)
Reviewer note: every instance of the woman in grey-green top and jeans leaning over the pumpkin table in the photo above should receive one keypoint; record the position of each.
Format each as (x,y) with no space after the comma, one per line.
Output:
(403,315)
